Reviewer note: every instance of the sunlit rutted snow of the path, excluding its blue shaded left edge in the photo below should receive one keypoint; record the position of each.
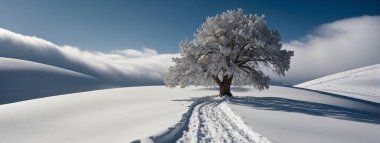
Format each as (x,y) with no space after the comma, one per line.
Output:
(213,121)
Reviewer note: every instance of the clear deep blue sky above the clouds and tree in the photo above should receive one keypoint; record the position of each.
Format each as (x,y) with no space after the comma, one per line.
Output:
(105,25)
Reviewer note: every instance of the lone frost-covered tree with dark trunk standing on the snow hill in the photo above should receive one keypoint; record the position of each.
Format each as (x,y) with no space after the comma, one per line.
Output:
(230,48)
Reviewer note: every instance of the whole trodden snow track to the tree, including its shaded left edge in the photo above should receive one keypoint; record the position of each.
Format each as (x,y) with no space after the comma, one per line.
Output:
(210,120)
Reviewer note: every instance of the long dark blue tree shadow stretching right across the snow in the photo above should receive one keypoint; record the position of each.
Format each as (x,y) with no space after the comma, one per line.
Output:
(305,107)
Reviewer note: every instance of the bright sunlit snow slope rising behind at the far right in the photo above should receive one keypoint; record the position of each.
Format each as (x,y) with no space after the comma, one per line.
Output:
(362,83)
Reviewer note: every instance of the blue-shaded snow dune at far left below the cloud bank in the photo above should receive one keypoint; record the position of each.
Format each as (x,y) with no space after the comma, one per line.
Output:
(23,80)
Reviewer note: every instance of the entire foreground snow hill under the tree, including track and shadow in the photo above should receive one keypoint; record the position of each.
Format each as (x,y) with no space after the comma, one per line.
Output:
(160,114)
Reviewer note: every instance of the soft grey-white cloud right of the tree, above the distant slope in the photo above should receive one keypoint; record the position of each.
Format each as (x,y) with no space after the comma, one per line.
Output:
(334,47)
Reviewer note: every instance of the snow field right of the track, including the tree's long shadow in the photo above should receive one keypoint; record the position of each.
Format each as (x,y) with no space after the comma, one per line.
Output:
(288,115)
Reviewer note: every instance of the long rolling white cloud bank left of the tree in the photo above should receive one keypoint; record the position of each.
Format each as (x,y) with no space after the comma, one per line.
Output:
(123,67)
